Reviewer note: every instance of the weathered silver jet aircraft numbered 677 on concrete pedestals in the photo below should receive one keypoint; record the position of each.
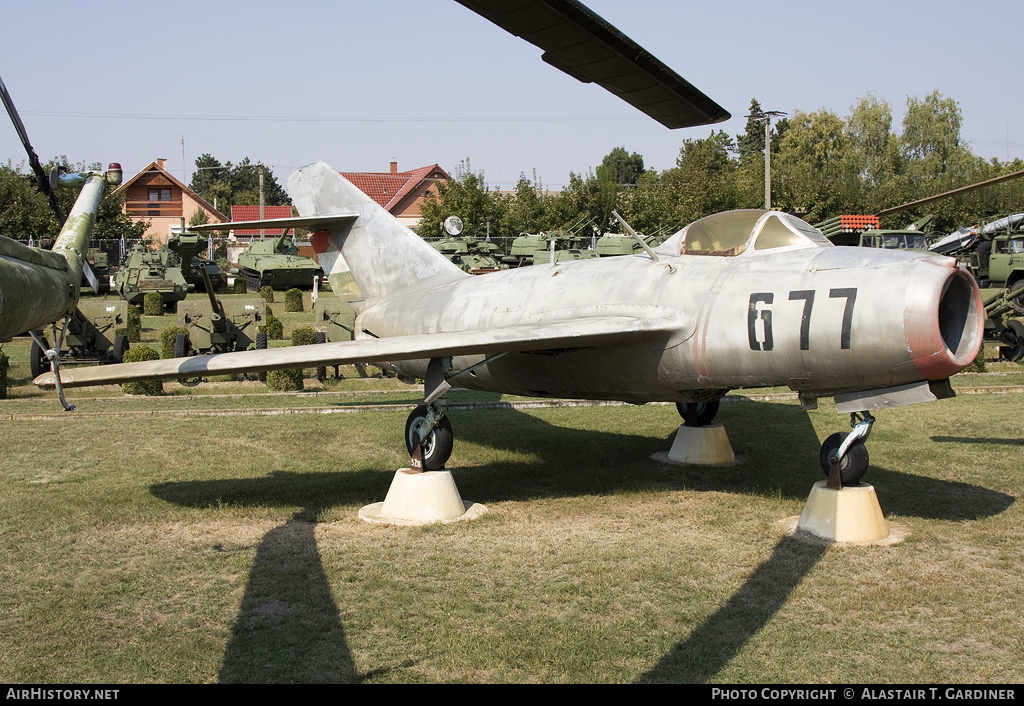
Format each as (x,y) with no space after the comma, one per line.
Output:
(739,300)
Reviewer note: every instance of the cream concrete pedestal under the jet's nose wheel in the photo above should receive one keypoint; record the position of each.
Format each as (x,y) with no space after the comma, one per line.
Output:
(851,515)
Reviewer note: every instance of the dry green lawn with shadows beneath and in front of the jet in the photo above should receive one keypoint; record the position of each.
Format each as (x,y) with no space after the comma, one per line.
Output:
(168,549)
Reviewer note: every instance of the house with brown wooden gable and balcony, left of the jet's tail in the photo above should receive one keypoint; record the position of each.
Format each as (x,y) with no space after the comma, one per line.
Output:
(155,195)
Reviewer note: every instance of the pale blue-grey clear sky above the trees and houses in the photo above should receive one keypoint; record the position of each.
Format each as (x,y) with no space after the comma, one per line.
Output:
(358,85)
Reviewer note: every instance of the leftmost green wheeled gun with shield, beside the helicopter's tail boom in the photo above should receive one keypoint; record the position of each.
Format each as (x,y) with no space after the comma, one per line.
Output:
(93,337)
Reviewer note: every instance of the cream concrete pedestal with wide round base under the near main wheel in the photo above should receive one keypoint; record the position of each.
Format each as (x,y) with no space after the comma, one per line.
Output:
(421,500)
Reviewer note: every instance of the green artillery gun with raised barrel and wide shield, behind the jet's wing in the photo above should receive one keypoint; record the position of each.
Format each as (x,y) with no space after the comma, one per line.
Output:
(219,326)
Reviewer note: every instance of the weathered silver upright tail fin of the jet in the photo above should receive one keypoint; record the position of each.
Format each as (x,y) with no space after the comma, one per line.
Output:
(373,255)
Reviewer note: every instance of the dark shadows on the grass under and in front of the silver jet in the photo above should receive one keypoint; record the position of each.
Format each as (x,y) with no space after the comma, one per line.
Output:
(289,628)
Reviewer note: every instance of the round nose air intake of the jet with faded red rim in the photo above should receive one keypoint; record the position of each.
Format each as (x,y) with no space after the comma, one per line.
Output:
(944,320)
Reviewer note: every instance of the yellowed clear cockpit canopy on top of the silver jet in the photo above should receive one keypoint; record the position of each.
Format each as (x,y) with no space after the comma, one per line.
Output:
(733,233)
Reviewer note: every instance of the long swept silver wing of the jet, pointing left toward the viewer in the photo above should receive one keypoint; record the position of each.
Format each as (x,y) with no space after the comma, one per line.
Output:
(548,336)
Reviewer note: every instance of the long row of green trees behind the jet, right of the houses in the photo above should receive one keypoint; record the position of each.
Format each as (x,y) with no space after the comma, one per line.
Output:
(823,165)
